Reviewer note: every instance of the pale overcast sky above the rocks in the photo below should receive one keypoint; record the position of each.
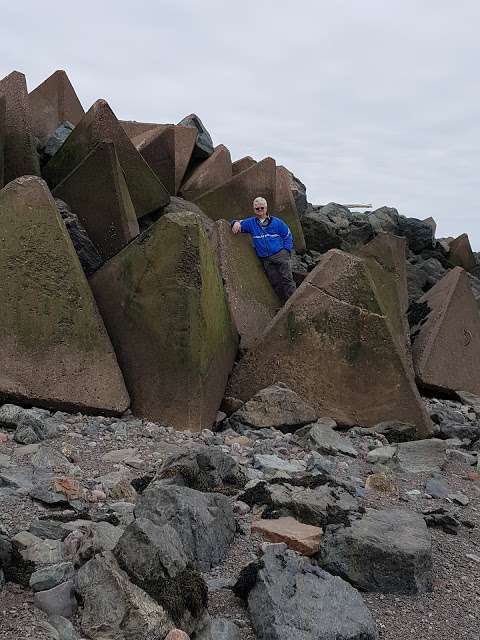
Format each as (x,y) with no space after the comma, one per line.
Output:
(365,101)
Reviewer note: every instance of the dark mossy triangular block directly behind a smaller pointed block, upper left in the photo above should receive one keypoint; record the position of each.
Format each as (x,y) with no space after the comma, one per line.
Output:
(99,124)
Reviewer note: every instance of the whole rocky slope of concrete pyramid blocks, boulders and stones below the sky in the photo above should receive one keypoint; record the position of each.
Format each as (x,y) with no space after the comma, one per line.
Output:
(162,416)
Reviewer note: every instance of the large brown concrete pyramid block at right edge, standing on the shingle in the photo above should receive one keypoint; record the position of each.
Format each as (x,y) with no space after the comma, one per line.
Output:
(446,343)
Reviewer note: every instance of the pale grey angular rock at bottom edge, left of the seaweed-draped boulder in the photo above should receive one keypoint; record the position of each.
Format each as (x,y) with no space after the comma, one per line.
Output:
(113,607)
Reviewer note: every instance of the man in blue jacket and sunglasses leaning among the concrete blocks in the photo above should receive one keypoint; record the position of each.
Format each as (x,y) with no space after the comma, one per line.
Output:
(273,243)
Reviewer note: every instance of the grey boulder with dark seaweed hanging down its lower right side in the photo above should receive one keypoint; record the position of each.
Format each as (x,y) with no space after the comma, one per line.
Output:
(155,560)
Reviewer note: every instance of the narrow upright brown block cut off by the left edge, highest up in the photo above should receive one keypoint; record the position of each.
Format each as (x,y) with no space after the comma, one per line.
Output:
(20,155)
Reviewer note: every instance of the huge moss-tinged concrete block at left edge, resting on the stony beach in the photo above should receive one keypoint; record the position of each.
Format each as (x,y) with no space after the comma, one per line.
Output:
(54,348)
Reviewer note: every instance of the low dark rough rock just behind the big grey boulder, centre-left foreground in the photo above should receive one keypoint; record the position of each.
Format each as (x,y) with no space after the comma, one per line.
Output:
(204,469)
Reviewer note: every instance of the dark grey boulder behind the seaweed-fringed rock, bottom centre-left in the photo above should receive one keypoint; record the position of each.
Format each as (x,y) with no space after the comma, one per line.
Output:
(204,522)
